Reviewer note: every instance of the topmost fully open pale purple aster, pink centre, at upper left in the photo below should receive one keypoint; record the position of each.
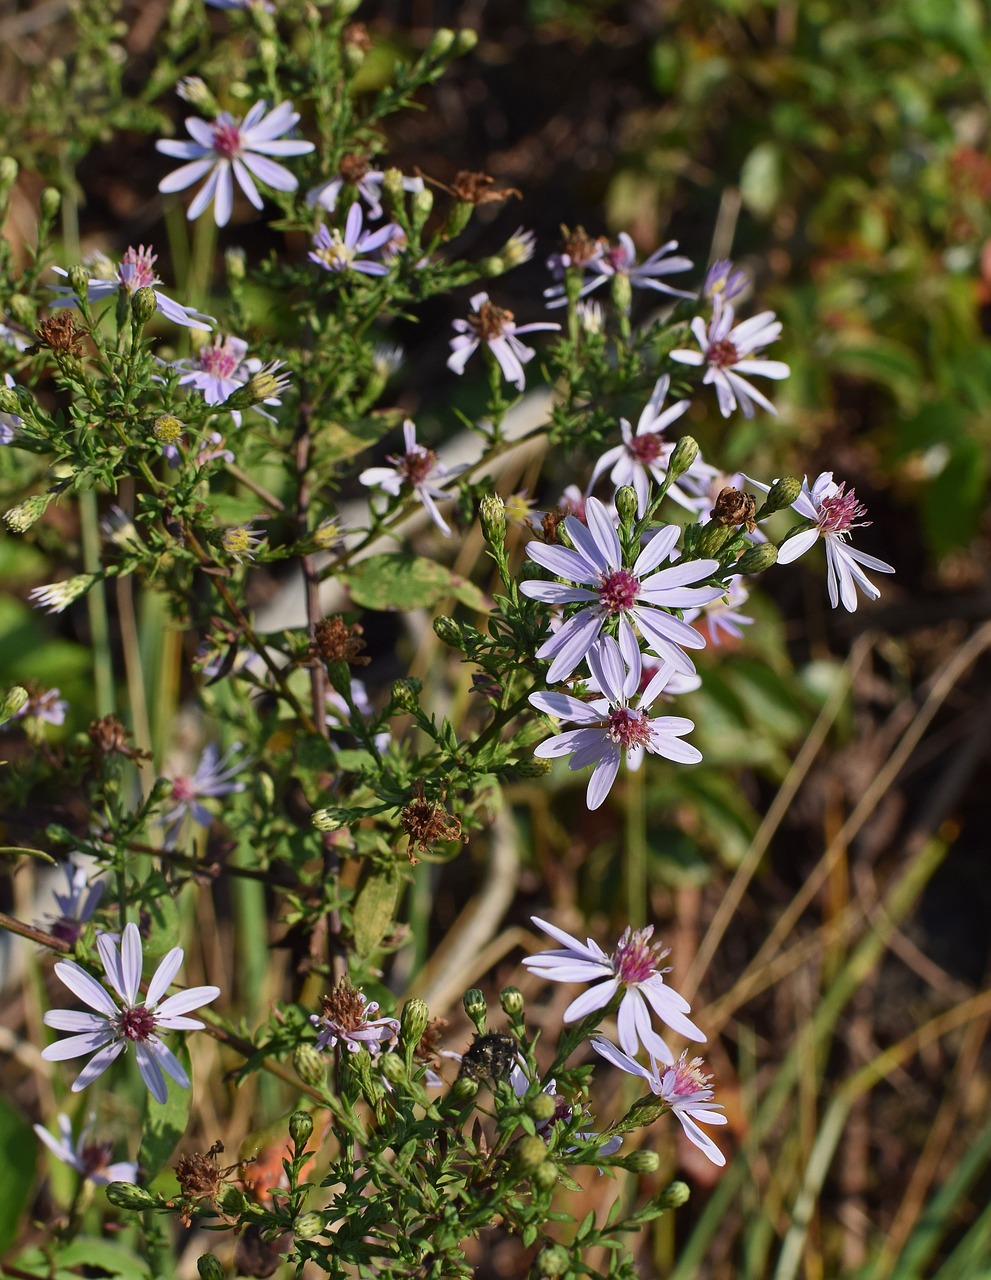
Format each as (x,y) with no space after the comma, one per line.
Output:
(230,149)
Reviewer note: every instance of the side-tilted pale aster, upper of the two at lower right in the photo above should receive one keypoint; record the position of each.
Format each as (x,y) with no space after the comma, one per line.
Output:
(633,968)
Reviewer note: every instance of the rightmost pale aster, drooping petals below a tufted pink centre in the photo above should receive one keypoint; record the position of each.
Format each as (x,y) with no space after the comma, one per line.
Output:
(834,514)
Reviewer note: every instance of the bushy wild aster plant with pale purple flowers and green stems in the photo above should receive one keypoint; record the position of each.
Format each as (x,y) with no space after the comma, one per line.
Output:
(268,442)
